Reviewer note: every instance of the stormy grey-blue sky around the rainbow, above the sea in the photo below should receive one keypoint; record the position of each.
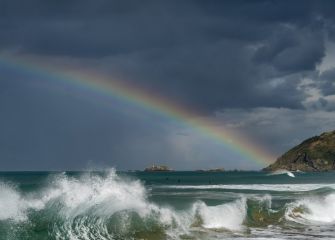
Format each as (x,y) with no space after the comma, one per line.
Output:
(263,69)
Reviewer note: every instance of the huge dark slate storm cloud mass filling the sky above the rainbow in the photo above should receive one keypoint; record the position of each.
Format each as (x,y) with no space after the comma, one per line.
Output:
(207,55)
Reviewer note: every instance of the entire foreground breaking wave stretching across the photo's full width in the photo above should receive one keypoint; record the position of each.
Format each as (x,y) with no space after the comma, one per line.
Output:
(111,207)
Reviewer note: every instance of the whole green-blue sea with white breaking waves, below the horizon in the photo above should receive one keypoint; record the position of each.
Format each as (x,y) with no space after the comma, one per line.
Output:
(166,205)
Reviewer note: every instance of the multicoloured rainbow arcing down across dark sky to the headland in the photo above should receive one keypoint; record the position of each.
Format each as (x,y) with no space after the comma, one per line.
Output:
(140,98)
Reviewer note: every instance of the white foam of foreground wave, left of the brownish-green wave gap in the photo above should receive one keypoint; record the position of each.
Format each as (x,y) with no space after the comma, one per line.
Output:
(87,204)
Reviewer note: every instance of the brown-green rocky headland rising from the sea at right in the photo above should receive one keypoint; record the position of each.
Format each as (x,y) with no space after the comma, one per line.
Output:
(314,154)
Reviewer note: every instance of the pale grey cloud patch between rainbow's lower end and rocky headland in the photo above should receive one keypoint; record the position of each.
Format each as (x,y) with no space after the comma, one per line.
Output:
(278,129)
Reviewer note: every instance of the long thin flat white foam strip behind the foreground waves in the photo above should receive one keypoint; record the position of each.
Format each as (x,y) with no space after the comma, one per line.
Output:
(256,187)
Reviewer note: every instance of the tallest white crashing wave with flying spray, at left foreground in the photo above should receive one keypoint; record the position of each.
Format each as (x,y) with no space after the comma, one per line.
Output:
(91,207)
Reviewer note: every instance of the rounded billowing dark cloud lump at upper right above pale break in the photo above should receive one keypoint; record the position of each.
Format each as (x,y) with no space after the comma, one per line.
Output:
(292,50)
